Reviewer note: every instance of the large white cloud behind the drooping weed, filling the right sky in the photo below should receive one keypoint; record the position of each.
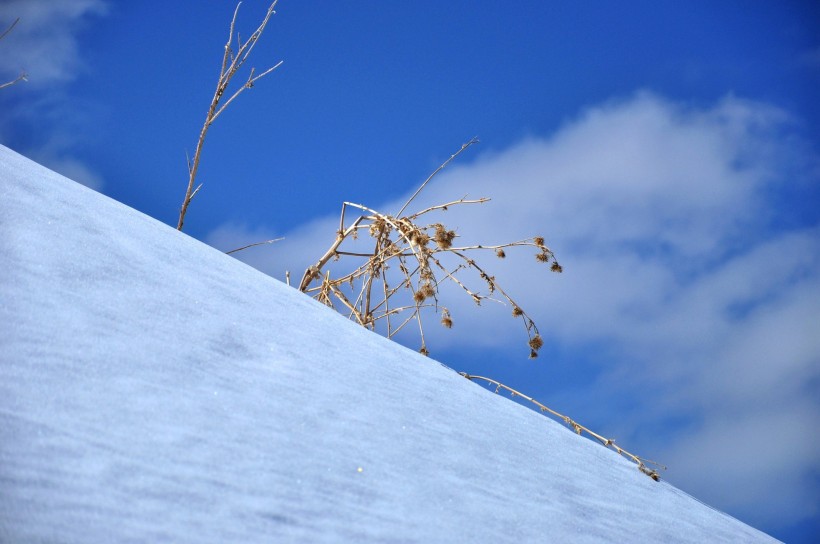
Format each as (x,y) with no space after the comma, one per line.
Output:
(662,217)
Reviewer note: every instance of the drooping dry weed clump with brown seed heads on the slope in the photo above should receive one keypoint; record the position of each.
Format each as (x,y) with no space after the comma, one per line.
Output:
(417,249)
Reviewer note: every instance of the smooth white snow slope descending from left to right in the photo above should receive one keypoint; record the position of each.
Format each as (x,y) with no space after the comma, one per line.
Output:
(153,389)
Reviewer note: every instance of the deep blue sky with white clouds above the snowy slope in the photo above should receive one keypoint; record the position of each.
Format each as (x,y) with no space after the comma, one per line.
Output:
(668,152)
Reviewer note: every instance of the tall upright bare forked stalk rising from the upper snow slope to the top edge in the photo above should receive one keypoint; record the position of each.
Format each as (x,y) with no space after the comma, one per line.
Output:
(231,63)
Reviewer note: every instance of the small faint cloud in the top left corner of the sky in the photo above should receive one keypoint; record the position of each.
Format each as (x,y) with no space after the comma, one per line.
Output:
(44,43)
